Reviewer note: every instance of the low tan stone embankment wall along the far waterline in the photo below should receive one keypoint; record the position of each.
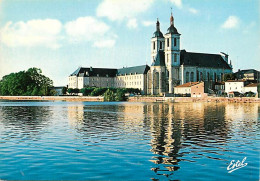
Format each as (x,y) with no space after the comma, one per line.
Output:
(134,99)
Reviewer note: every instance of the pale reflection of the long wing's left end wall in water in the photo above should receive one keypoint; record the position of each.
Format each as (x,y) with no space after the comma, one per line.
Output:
(76,114)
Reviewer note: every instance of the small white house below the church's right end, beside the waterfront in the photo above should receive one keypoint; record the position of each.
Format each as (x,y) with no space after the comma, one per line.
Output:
(235,86)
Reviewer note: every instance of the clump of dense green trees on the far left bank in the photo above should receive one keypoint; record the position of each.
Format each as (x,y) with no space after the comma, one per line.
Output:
(26,83)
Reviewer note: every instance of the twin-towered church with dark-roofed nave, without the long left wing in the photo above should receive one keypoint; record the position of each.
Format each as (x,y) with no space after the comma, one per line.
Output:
(172,67)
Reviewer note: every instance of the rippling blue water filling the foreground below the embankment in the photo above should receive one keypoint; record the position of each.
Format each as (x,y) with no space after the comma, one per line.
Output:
(128,141)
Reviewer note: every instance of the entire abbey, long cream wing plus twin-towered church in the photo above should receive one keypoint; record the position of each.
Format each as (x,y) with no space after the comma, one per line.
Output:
(170,67)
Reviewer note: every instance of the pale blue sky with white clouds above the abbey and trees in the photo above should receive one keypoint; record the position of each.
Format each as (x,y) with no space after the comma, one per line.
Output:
(59,36)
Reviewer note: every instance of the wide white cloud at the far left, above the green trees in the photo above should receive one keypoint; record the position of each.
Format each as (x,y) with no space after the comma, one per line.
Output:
(32,33)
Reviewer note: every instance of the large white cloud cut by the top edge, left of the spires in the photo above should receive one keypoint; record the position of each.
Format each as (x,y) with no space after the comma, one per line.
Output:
(121,9)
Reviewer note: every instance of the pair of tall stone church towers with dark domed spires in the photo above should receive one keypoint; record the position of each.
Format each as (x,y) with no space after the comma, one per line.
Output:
(165,55)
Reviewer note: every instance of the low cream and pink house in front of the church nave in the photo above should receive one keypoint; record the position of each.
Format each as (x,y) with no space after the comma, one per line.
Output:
(194,89)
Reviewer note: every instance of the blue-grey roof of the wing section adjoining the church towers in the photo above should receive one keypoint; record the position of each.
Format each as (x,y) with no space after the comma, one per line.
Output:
(143,69)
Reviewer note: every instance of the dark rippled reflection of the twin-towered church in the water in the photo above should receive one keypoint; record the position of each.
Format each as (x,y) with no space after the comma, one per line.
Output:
(177,126)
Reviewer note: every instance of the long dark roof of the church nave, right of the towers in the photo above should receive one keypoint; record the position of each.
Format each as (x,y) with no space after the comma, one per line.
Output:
(203,60)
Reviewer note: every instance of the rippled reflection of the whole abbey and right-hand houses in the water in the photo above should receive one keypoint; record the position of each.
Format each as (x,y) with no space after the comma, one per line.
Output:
(178,132)
